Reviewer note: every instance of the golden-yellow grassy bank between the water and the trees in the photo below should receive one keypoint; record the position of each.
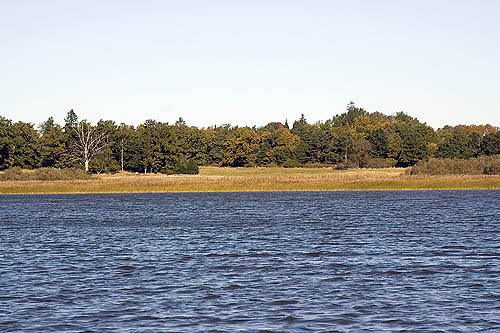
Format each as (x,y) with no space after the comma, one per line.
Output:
(213,179)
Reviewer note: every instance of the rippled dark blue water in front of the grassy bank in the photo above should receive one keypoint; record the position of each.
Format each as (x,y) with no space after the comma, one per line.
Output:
(310,261)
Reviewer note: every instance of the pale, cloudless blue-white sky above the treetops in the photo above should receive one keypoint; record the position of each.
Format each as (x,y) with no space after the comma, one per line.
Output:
(249,62)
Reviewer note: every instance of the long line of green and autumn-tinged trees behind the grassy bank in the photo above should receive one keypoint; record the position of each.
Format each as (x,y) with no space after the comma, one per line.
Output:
(355,138)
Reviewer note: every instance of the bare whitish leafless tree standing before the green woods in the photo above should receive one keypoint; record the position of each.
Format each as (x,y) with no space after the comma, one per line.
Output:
(88,141)
